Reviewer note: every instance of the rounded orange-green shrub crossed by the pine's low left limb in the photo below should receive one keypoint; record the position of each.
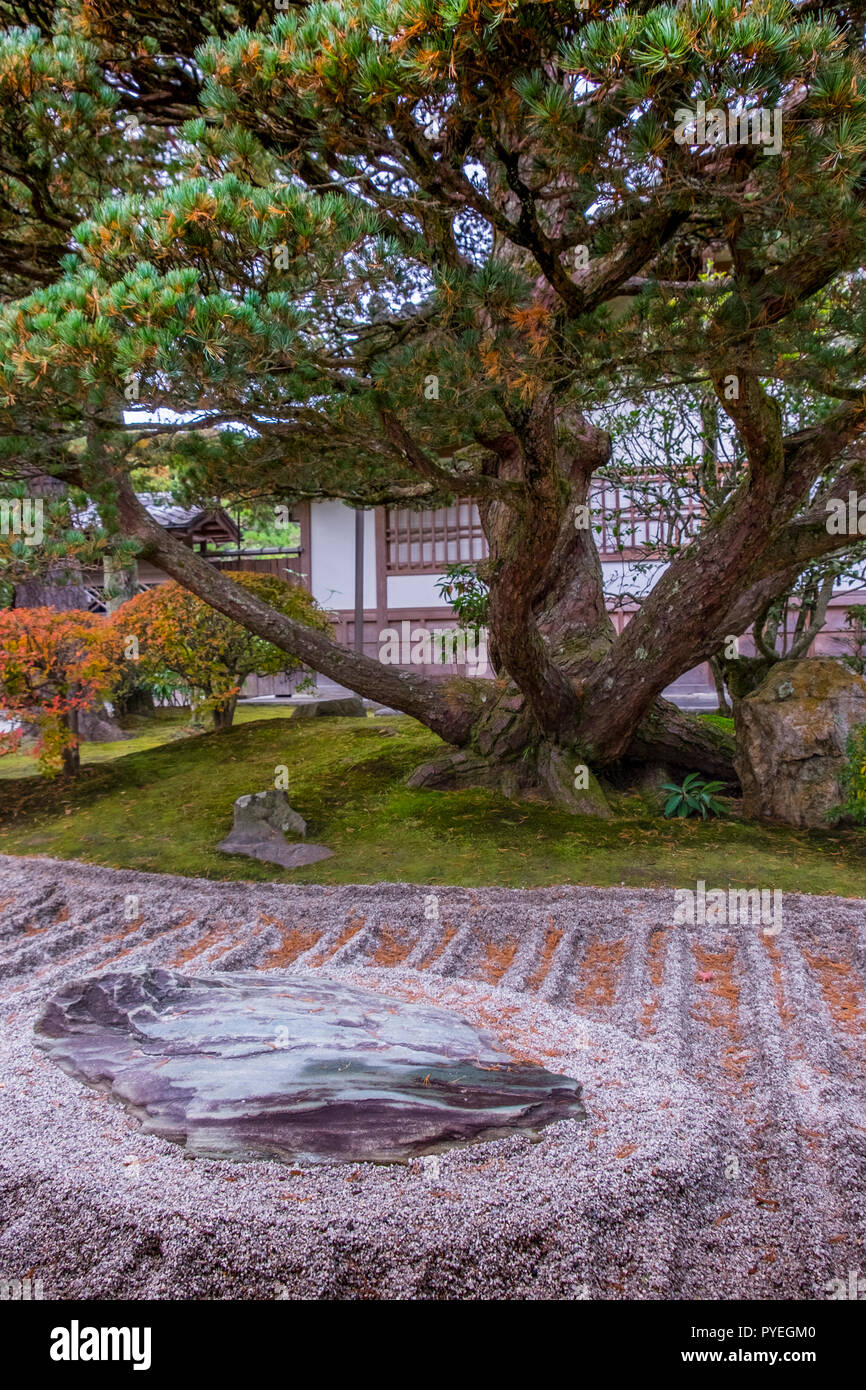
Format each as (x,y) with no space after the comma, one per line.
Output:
(174,633)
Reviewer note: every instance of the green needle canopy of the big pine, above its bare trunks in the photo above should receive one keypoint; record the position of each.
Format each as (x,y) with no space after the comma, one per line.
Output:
(279,227)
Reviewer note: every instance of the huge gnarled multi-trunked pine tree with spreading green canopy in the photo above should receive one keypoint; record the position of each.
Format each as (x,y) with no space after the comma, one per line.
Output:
(408,251)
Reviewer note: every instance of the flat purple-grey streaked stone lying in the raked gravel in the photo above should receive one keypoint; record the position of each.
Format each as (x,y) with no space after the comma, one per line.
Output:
(294,1068)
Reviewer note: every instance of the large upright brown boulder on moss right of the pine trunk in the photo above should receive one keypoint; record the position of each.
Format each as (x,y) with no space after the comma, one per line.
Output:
(792,737)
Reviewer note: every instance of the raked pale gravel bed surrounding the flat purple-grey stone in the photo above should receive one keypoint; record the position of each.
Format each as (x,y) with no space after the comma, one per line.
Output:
(724,1071)
